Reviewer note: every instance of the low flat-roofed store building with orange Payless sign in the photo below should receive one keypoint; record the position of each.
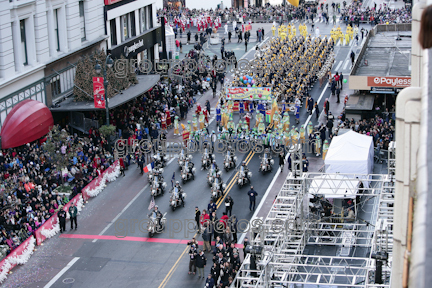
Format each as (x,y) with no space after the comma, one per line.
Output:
(381,70)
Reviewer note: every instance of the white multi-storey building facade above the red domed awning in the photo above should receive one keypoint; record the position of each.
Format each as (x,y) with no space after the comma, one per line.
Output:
(40,42)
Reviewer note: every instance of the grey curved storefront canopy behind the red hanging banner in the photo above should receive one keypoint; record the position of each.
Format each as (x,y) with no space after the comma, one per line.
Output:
(145,83)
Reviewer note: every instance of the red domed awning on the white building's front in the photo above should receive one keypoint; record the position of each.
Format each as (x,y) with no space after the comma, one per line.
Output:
(28,121)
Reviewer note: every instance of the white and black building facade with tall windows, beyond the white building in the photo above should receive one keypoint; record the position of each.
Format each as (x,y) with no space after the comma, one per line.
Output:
(132,29)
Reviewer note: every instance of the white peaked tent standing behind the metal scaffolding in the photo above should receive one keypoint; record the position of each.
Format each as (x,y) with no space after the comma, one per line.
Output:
(350,153)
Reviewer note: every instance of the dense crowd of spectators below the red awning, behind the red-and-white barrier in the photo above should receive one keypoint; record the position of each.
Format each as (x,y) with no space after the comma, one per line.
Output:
(30,175)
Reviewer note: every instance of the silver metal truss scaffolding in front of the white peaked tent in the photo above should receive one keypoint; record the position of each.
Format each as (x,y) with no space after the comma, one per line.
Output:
(293,246)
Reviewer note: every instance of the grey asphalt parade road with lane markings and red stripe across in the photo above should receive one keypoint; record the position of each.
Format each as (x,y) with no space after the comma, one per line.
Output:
(93,255)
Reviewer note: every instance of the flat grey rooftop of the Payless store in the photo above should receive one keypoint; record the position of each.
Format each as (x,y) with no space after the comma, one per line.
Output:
(387,56)
